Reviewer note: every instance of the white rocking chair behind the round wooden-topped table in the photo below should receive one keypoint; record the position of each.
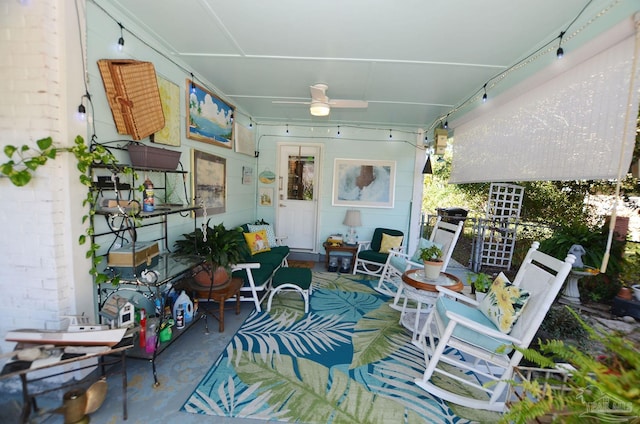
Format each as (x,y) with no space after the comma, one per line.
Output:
(443,233)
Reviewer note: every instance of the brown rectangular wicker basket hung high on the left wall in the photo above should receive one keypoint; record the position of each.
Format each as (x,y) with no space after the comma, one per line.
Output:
(133,95)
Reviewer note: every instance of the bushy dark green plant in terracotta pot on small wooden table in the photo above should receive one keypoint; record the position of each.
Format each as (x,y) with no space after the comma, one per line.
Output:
(220,249)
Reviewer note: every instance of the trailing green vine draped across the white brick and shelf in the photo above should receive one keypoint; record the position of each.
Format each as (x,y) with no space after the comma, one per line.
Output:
(25,160)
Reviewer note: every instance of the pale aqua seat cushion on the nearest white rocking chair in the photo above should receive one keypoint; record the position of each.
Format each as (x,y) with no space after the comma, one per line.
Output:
(466,334)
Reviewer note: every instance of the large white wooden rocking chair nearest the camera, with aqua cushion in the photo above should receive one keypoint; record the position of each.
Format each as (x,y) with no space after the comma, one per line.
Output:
(457,326)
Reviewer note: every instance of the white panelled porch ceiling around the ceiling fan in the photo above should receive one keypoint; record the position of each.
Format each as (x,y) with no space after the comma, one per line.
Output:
(412,60)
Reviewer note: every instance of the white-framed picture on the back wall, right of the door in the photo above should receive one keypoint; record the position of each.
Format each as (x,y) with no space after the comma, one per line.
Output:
(364,183)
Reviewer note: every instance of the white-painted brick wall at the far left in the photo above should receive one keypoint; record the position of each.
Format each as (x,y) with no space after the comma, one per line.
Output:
(39,258)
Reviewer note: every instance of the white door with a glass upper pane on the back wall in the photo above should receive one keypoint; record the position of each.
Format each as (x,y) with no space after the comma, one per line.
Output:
(297,216)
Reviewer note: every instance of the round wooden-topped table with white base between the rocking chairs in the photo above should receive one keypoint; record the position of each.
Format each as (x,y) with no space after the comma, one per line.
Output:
(417,287)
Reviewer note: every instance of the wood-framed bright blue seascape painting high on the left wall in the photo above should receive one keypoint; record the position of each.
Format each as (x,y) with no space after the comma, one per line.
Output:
(209,118)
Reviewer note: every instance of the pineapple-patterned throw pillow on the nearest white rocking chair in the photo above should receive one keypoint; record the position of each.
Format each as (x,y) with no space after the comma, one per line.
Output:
(503,303)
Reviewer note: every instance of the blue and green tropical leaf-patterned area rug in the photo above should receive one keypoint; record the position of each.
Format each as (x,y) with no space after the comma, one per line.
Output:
(346,361)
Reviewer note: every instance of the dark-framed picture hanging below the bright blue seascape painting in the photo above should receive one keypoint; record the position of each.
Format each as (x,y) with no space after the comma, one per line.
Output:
(209,185)
